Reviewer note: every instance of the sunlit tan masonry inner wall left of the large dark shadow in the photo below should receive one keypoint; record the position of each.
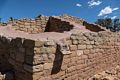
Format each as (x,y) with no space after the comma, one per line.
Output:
(36,25)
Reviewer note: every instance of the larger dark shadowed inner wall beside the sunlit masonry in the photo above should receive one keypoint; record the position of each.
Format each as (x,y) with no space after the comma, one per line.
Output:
(57,25)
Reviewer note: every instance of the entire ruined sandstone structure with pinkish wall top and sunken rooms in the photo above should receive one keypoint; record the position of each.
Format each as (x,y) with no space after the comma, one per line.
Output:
(56,48)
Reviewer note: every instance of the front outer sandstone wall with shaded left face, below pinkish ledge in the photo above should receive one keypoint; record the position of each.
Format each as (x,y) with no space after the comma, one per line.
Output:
(79,56)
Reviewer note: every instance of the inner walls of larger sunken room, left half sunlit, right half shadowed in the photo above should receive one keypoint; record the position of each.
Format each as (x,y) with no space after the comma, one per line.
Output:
(42,24)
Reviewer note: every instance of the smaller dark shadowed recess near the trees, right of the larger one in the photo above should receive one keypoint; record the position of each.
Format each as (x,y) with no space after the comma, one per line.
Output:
(92,27)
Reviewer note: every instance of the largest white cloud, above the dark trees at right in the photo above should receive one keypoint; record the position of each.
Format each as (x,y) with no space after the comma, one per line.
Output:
(107,10)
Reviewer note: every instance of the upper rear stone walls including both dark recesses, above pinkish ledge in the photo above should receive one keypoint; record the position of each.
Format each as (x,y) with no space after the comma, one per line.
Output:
(52,24)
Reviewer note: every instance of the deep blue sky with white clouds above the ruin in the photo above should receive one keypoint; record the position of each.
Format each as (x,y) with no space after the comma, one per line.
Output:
(89,10)
